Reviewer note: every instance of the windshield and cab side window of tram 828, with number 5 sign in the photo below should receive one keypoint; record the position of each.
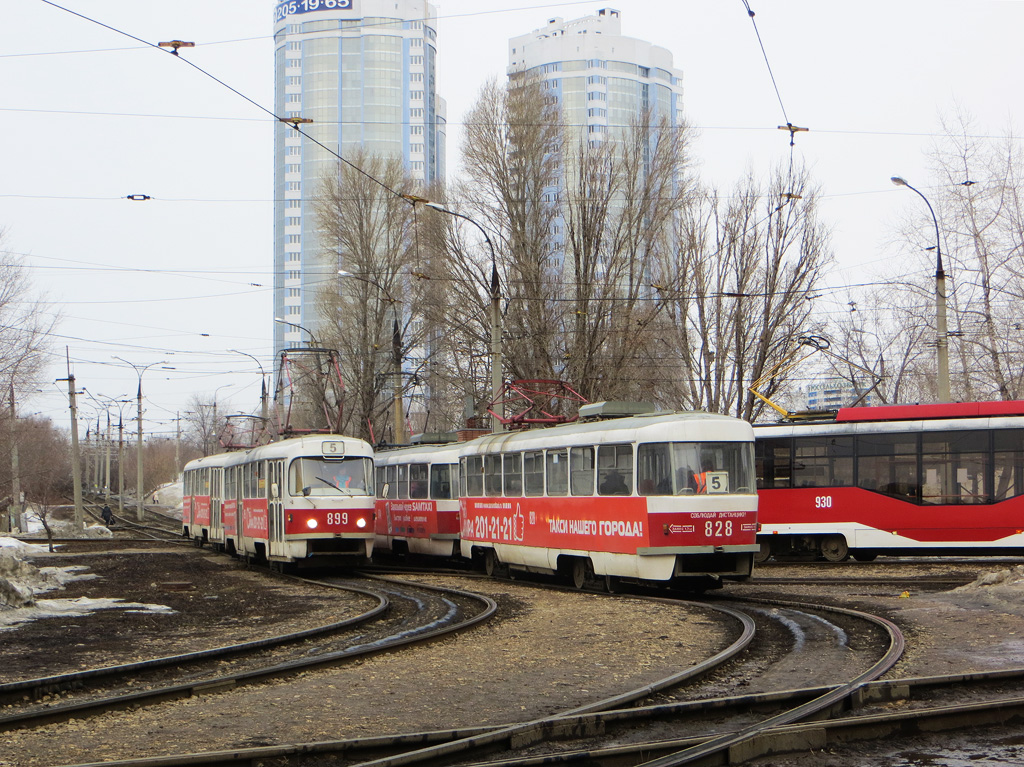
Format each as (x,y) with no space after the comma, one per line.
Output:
(696,468)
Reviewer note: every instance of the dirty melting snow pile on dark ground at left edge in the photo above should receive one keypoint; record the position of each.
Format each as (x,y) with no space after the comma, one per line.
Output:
(21,582)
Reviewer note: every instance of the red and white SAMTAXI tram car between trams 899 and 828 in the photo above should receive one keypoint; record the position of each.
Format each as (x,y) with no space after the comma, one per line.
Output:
(419,515)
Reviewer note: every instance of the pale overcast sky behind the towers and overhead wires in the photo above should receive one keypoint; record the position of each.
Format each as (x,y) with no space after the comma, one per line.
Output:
(89,117)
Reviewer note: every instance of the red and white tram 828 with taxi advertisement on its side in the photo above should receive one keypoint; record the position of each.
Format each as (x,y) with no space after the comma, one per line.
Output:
(660,497)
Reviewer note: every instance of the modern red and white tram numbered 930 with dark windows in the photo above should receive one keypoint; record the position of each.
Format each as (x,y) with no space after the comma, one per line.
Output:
(895,480)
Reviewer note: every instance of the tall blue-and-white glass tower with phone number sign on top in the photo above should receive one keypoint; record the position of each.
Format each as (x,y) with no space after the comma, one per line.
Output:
(364,71)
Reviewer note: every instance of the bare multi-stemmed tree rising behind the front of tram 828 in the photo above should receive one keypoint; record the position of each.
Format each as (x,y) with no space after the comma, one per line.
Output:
(737,292)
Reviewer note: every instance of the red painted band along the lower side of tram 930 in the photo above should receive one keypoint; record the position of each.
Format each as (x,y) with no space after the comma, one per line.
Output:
(928,524)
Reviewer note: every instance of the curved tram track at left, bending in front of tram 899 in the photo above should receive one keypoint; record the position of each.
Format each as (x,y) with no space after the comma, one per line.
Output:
(401,634)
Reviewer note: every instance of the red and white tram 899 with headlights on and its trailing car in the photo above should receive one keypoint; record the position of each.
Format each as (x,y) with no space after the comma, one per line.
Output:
(308,501)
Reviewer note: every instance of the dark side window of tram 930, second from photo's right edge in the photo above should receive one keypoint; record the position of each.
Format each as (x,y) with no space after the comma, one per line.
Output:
(955,467)
